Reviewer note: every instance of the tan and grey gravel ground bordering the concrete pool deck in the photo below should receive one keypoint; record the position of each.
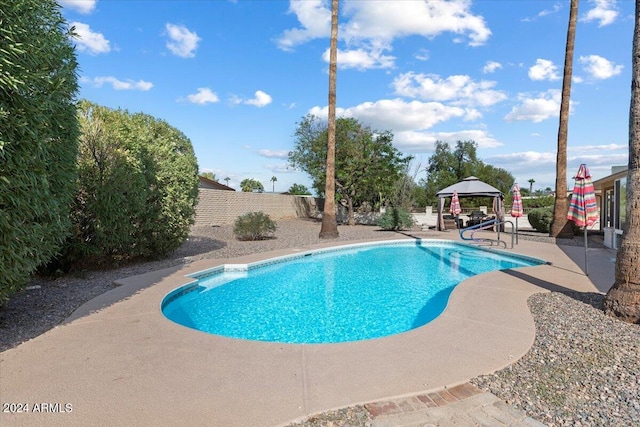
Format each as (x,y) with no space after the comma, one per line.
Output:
(583,369)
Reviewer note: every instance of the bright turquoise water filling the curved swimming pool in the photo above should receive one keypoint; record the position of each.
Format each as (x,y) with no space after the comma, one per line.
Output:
(358,293)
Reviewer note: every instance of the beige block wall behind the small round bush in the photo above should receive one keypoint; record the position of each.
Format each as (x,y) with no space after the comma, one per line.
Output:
(219,207)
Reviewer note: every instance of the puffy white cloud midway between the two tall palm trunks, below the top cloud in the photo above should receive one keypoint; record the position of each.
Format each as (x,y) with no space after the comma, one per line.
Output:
(459,90)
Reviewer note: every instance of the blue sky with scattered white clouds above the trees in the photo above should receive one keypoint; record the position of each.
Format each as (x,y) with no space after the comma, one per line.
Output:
(236,76)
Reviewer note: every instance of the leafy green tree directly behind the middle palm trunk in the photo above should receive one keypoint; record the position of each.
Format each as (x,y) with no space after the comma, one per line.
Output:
(367,163)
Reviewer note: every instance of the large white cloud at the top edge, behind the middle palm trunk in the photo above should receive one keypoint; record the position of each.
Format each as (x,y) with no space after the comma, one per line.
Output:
(369,28)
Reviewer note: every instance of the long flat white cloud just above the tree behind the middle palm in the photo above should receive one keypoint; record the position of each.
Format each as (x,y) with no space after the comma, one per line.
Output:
(397,114)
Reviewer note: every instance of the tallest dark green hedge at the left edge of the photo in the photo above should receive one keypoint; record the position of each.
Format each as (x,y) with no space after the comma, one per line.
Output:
(38,137)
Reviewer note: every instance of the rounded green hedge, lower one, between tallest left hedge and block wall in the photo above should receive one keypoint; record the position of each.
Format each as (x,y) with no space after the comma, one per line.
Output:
(137,188)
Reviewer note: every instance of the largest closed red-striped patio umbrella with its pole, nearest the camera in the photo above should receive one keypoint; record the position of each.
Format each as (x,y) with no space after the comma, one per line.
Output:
(583,209)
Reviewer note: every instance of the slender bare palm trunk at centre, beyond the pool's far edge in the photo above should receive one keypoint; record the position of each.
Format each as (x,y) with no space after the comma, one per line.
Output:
(329,229)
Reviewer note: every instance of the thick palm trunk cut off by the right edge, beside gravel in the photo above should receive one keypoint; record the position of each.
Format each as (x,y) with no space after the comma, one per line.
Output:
(623,299)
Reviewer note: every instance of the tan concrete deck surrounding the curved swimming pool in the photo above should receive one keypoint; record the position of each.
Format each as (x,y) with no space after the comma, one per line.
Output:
(118,361)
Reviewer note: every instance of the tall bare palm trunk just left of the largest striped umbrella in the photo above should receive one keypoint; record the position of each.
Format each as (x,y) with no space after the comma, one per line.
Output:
(560,226)
